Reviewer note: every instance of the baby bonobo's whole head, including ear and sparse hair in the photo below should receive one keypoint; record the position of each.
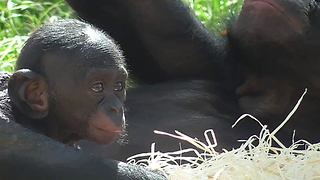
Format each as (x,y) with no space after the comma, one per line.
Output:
(70,83)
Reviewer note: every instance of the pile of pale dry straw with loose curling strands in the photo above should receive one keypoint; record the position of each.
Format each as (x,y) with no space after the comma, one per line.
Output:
(256,161)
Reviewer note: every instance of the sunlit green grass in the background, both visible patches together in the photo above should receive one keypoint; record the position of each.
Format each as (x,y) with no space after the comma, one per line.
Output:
(19,18)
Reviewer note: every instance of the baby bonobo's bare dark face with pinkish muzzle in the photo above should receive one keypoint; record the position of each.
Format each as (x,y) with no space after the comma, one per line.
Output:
(87,96)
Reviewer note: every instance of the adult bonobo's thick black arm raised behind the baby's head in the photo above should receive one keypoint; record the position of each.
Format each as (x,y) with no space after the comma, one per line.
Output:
(162,39)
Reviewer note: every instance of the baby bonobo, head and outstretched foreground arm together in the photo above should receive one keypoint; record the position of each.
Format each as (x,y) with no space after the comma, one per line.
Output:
(69,84)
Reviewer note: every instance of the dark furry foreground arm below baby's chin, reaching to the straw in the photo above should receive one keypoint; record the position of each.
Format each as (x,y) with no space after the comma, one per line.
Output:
(25,154)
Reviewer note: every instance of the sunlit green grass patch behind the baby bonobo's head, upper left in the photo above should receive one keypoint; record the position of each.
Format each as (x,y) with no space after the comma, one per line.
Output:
(19,18)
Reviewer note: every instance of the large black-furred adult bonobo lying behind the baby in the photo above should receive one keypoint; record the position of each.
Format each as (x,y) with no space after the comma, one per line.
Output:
(269,55)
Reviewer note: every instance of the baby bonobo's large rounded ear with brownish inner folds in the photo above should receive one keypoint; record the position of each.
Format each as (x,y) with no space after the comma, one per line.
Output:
(28,91)
